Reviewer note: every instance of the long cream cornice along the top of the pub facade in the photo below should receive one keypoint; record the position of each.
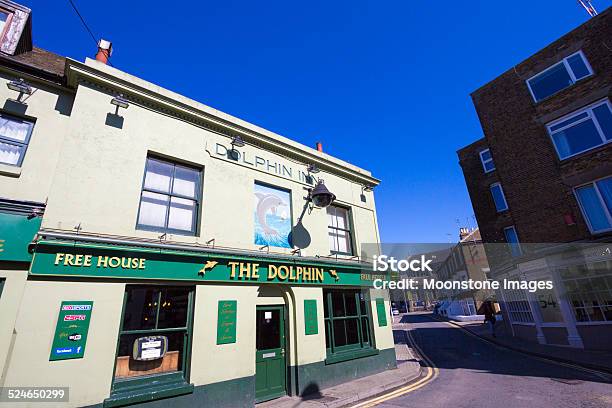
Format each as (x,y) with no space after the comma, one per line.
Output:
(133,87)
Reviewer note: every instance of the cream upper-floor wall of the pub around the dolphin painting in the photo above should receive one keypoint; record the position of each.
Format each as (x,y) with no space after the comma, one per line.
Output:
(99,178)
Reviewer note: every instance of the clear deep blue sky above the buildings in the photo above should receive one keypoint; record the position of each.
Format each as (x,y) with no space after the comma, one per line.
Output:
(383,84)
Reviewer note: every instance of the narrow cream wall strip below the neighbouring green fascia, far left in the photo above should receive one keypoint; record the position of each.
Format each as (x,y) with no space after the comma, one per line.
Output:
(14,285)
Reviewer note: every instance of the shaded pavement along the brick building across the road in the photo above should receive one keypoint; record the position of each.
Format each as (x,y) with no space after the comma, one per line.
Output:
(593,359)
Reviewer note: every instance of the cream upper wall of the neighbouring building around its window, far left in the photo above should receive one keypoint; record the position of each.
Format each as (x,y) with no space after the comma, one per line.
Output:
(50,108)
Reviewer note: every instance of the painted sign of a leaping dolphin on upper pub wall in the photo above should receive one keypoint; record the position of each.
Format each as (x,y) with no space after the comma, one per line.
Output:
(272,211)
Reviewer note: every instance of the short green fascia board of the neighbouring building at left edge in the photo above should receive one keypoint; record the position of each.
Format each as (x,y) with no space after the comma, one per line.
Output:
(16,233)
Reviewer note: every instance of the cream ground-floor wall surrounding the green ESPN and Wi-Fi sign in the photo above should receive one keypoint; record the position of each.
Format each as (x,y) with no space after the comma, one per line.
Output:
(89,378)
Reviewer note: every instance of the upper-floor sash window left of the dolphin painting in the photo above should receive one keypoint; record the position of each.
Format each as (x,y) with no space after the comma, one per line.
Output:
(170,199)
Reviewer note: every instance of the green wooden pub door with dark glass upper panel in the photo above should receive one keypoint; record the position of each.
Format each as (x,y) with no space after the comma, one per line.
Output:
(270,365)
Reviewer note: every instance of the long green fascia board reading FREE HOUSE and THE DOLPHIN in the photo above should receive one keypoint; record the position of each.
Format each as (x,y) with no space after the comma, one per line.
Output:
(53,258)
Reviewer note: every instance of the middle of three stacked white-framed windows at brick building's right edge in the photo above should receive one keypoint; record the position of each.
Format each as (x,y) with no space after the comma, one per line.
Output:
(595,116)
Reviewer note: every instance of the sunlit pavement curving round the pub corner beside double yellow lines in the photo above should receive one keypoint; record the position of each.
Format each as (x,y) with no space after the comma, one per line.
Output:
(348,393)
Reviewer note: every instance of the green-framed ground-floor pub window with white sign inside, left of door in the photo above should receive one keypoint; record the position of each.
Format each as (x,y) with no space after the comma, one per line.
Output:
(144,315)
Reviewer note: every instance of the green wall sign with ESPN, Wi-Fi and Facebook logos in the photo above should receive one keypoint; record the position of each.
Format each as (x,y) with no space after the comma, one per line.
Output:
(71,330)
